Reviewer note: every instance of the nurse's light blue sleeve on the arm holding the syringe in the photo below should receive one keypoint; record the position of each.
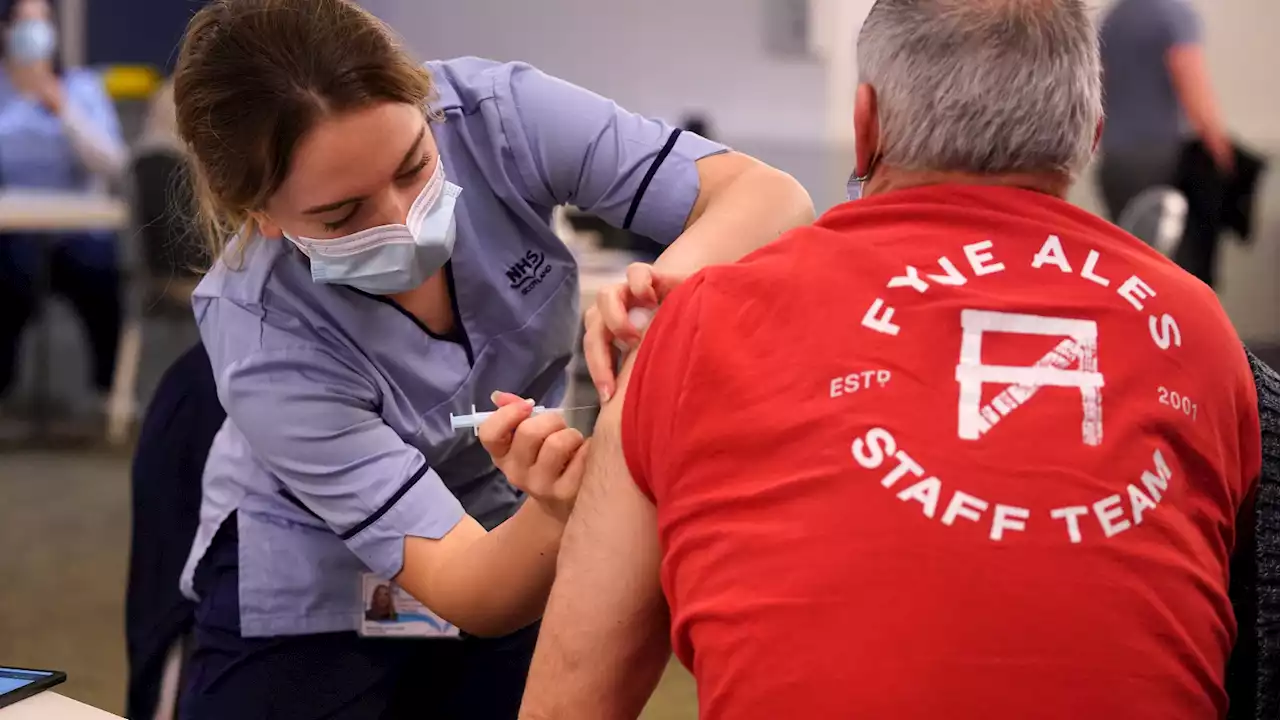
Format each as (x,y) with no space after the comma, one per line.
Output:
(310,421)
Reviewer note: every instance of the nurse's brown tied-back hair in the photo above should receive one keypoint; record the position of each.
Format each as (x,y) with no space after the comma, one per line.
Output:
(255,76)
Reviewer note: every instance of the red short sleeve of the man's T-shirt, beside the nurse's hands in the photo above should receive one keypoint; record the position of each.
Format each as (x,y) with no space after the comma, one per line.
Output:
(652,403)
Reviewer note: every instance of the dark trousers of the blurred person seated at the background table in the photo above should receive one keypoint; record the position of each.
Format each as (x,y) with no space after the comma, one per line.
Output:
(84,270)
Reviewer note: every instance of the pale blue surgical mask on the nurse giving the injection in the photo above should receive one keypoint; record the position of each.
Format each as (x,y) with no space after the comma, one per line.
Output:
(391,259)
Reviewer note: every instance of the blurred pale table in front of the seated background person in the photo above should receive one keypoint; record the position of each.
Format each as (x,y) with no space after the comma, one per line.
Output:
(51,213)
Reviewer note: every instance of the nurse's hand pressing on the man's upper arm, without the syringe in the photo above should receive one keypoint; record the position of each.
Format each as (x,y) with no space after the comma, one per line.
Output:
(619,318)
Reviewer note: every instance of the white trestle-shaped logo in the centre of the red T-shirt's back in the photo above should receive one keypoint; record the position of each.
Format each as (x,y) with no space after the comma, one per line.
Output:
(1081,345)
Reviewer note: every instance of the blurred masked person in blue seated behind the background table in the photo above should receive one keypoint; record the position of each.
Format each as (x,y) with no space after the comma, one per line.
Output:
(58,133)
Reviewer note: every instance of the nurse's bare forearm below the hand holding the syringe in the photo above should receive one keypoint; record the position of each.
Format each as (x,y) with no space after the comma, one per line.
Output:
(488,585)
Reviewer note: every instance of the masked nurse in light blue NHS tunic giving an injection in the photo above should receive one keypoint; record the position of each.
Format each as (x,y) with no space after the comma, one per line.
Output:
(385,261)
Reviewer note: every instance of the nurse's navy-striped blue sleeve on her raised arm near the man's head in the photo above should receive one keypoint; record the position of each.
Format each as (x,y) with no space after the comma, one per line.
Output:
(573,147)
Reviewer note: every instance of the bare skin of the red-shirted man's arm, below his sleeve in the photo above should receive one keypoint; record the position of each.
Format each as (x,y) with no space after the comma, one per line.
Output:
(606,636)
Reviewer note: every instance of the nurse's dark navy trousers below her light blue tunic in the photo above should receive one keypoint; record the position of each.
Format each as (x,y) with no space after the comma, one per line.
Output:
(340,676)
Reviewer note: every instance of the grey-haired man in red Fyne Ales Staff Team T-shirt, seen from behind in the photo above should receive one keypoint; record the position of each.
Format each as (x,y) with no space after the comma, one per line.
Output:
(868,472)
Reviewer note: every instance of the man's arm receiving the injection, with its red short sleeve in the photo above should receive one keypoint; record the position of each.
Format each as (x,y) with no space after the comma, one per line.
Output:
(606,637)
